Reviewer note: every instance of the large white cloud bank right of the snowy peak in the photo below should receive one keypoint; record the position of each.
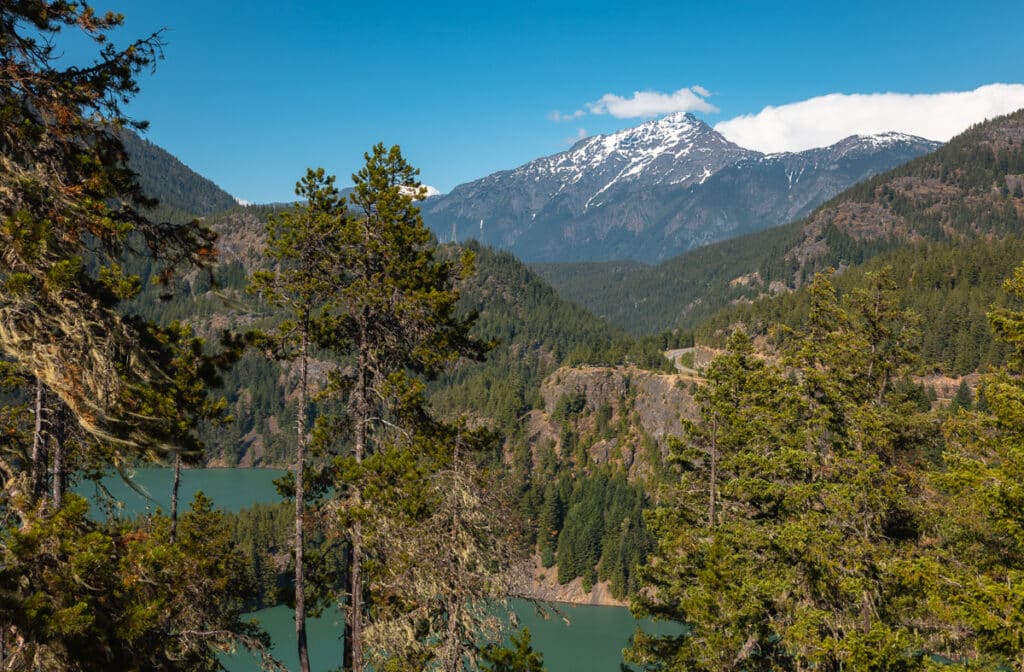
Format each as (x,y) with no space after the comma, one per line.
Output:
(828,119)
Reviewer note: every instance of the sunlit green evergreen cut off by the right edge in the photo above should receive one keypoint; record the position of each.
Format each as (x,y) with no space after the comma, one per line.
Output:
(980,505)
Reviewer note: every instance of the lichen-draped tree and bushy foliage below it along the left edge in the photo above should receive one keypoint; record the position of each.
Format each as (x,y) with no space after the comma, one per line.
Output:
(107,386)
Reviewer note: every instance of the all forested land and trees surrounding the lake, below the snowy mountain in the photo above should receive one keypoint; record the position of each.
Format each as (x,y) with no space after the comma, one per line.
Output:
(803,448)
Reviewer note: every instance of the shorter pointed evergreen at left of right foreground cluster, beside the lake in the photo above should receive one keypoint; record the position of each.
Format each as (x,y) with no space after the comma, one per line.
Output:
(709,568)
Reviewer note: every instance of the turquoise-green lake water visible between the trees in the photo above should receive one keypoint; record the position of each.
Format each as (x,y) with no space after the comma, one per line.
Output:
(591,641)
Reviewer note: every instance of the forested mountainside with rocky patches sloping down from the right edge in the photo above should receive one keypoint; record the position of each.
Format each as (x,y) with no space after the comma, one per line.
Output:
(950,226)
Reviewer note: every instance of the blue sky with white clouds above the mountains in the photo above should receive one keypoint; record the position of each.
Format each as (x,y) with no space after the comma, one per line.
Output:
(252,93)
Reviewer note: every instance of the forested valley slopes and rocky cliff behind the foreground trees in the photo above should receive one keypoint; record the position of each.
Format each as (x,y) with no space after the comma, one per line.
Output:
(592,412)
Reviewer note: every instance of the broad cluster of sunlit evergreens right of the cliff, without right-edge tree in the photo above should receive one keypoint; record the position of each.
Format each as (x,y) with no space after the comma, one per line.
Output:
(788,541)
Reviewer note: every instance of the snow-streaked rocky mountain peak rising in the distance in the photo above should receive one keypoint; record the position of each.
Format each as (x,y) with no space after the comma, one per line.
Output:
(654,191)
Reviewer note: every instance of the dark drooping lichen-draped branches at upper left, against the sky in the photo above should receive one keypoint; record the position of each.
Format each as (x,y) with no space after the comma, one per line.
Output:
(72,216)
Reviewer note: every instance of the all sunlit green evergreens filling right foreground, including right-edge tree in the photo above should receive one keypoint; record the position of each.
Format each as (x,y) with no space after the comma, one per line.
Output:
(824,518)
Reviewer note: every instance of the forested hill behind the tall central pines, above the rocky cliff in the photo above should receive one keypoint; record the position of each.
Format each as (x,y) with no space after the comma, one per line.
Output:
(534,330)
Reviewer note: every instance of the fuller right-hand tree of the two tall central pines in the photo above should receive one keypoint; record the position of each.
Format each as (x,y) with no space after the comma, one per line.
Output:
(396,316)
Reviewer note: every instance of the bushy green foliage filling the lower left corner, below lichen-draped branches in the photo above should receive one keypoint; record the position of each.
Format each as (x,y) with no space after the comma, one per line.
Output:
(79,596)
